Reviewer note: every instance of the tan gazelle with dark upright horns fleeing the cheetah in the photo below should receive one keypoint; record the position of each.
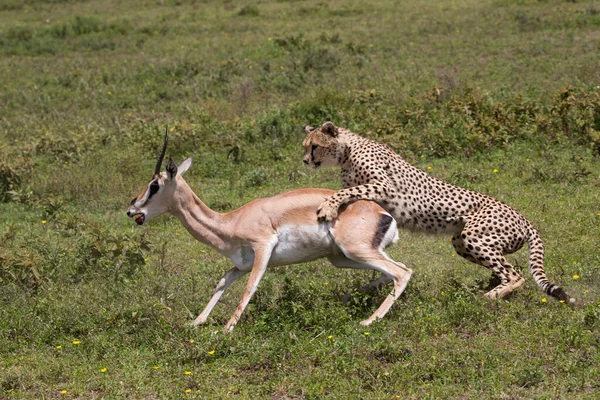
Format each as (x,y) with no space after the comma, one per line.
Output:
(279,230)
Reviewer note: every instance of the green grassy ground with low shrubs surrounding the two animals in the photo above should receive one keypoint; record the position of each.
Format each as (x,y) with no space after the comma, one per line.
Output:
(498,96)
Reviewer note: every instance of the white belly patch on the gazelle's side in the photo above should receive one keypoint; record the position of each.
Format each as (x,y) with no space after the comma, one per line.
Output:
(301,243)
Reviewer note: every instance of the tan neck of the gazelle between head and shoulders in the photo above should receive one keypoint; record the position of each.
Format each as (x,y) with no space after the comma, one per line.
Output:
(206,225)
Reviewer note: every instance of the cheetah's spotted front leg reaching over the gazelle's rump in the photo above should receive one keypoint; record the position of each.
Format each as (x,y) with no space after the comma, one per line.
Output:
(328,210)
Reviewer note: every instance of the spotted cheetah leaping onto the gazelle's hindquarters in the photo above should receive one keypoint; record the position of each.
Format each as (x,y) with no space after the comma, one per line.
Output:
(483,229)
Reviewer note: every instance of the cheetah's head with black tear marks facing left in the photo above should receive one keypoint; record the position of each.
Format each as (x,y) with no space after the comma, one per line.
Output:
(321,146)
